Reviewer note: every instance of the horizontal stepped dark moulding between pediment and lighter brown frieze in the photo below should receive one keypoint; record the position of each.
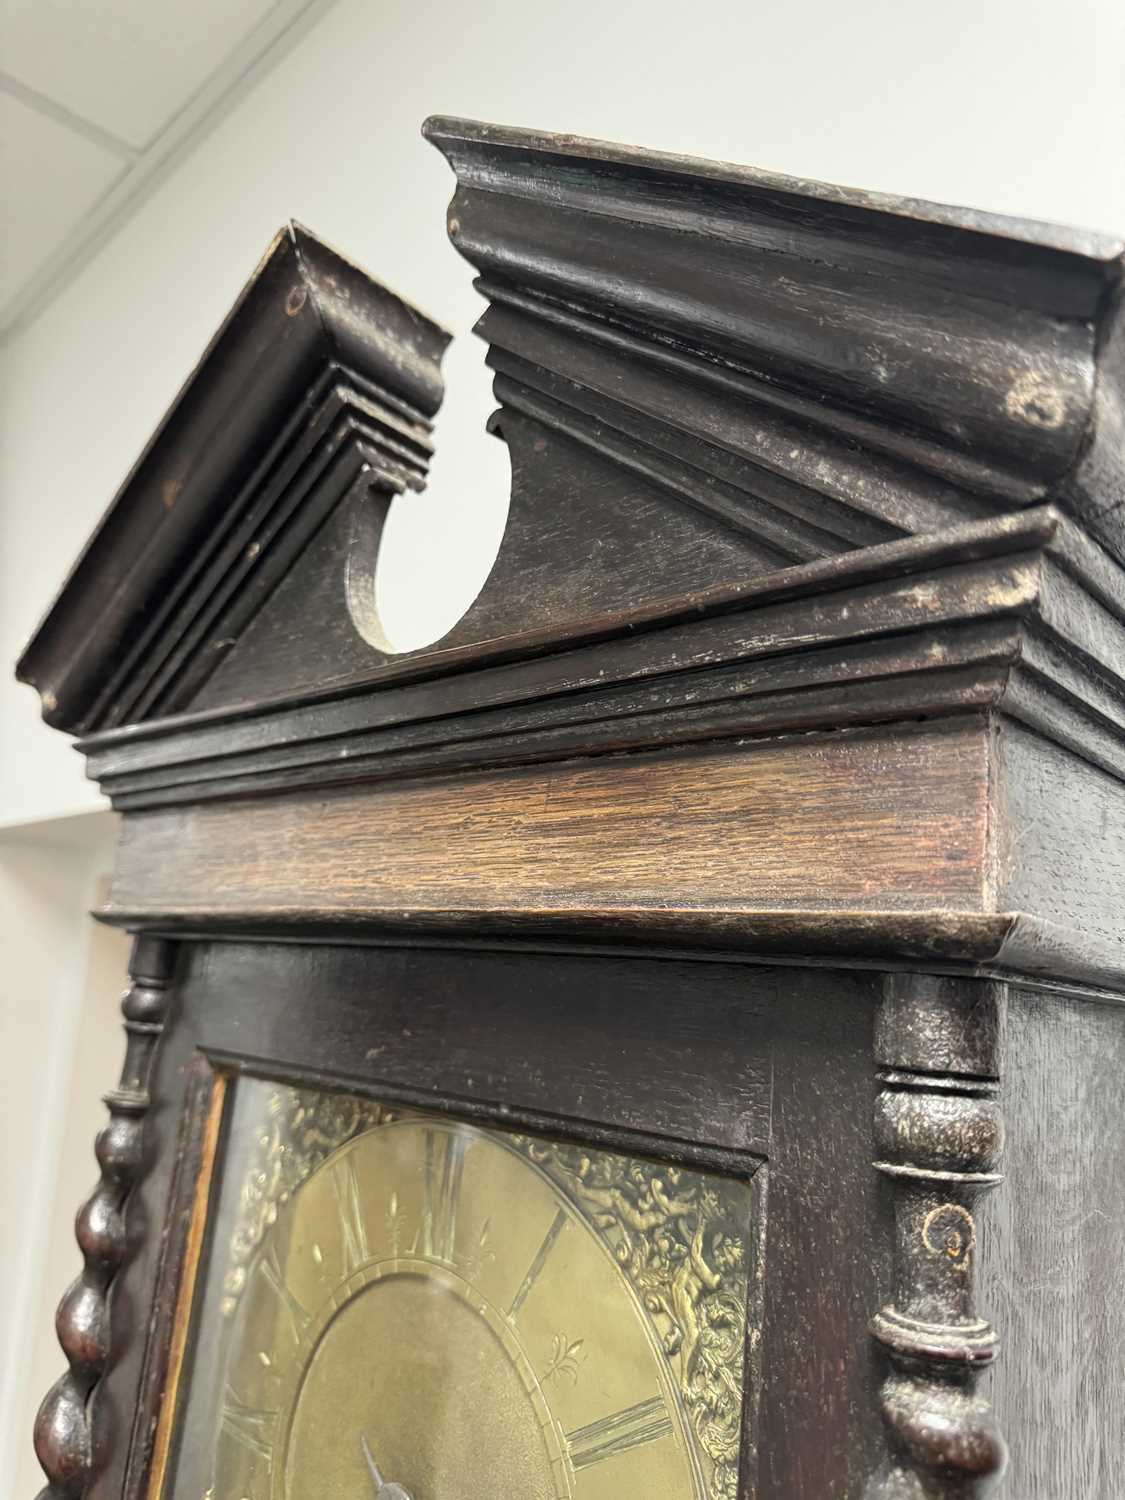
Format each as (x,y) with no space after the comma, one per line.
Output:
(1021,616)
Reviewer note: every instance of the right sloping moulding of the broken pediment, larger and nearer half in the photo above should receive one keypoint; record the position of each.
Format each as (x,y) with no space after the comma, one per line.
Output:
(829,350)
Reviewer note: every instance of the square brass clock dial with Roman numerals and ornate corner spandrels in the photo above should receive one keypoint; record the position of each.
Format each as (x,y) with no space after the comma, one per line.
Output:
(439,1310)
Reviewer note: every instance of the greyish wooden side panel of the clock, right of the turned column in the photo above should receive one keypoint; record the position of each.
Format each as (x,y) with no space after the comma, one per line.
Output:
(1055,1249)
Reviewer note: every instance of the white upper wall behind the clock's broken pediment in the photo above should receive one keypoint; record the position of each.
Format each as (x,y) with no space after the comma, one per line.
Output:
(1000,104)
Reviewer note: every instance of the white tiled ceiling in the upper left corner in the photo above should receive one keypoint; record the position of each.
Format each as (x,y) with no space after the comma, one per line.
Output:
(98,100)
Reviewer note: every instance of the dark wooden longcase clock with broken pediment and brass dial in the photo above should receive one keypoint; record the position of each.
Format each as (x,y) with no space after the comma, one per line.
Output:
(572,1061)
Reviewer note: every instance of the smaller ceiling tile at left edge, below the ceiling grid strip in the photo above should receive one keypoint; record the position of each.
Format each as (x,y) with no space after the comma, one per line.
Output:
(49,179)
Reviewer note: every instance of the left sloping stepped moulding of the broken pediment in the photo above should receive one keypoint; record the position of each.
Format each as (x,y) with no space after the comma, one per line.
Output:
(319,377)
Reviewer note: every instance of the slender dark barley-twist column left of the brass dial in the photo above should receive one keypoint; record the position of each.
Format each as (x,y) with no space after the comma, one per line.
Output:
(67,1427)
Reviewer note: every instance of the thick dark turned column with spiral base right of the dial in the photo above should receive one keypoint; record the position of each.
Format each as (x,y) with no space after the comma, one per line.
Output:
(940,1136)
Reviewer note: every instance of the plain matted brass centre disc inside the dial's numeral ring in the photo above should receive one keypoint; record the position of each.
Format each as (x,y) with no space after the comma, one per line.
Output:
(439,1388)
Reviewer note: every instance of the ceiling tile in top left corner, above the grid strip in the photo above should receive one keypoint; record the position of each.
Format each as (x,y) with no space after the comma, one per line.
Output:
(125,65)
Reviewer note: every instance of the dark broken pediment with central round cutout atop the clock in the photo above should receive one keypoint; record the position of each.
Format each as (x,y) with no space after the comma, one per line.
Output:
(742,401)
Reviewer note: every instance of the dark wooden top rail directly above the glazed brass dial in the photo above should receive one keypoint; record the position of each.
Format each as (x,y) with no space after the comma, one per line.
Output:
(622,1036)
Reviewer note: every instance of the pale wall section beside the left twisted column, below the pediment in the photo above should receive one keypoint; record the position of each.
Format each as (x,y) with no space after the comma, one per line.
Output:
(61,1049)
